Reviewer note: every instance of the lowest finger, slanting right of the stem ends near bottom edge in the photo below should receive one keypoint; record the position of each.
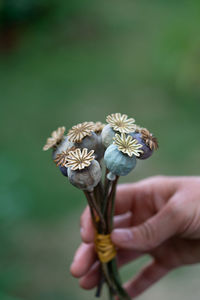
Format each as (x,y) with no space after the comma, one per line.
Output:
(146,278)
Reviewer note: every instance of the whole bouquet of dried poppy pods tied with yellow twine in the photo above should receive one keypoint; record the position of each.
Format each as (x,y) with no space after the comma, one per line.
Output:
(93,156)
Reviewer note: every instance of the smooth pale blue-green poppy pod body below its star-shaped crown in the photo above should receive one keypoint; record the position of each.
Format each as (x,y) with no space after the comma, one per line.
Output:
(117,162)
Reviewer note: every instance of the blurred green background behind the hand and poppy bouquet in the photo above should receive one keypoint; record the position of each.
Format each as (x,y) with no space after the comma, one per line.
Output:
(64,62)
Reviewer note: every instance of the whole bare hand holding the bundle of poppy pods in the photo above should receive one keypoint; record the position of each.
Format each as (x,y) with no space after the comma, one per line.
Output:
(159,216)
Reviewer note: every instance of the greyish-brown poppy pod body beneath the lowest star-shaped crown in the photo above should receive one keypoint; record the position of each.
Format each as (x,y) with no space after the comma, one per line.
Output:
(87,178)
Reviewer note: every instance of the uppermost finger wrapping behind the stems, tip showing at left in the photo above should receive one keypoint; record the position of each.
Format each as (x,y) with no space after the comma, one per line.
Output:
(131,198)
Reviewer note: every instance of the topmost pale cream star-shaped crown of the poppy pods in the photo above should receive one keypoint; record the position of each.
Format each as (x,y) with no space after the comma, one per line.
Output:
(121,123)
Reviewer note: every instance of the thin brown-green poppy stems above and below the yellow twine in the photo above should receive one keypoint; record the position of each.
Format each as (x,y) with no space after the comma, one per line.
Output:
(102,204)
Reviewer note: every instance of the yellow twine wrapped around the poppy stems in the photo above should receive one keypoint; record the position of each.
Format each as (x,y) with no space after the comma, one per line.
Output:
(104,247)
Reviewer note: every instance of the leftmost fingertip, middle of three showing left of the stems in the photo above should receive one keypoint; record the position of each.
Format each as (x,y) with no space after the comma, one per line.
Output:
(83,260)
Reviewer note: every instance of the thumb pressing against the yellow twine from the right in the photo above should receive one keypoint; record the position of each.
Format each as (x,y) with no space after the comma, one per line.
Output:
(149,234)
